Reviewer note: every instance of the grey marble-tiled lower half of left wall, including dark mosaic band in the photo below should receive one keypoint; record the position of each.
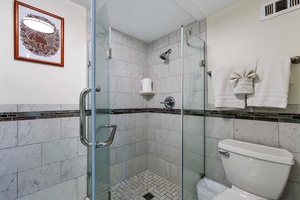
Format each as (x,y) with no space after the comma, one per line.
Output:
(40,152)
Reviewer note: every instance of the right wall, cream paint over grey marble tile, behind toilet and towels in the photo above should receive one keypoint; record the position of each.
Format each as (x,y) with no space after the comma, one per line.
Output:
(236,35)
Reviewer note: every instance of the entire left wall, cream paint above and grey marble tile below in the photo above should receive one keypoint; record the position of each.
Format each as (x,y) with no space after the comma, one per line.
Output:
(40,152)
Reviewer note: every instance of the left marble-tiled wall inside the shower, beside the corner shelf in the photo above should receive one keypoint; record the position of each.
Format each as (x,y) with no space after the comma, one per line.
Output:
(126,70)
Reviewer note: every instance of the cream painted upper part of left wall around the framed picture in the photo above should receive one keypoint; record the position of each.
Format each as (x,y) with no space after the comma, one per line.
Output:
(33,83)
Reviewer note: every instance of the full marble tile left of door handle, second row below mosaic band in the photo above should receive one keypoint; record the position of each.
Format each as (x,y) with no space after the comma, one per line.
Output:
(59,150)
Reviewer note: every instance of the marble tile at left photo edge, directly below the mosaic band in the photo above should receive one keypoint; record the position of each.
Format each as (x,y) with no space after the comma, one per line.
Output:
(8,134)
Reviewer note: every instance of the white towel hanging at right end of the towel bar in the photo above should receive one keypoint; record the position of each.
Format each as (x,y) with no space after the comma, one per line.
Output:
(271,84)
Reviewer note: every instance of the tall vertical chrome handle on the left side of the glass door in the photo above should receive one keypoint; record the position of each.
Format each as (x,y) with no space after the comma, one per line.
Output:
(82,116)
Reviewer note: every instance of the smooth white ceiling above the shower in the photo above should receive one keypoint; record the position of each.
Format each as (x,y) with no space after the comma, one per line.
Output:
(149,20)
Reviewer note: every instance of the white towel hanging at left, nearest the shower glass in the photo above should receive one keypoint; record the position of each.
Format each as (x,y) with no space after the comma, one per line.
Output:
(223,90)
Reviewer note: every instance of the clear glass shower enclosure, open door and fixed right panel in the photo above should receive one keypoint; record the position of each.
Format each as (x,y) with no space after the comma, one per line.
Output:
(99,130)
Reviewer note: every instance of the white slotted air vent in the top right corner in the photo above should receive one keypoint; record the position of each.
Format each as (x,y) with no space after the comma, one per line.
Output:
(277,7)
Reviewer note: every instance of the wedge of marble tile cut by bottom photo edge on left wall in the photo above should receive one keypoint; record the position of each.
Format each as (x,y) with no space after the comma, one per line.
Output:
(62,191)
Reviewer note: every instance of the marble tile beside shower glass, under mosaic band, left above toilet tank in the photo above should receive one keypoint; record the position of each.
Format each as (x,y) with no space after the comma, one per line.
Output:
(219,127)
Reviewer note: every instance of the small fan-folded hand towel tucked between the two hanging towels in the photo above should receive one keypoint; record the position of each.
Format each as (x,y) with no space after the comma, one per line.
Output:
(243,81)
